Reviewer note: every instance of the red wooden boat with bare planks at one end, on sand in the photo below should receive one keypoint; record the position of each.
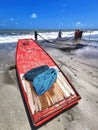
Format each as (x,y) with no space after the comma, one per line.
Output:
(60,96)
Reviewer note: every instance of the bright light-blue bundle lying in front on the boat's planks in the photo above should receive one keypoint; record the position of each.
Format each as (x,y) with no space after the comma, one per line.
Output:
(44,81)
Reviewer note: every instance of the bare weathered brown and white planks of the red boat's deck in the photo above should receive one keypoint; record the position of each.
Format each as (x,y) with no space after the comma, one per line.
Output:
(58,92)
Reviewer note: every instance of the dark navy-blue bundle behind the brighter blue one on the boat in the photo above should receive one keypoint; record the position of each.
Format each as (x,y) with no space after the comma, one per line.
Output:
(31,74)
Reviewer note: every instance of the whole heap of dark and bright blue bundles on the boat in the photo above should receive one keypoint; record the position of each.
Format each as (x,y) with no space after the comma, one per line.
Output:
(42,78)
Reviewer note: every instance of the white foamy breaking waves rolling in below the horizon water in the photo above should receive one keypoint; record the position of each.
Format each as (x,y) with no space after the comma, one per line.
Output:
(10,37)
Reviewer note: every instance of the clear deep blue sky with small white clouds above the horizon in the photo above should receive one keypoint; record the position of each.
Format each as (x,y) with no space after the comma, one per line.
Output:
(48,14)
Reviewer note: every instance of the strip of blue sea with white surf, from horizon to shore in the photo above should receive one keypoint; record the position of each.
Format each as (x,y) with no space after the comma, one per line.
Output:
(8,36)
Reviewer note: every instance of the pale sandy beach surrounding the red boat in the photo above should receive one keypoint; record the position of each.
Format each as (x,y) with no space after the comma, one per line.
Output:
(81,69)
